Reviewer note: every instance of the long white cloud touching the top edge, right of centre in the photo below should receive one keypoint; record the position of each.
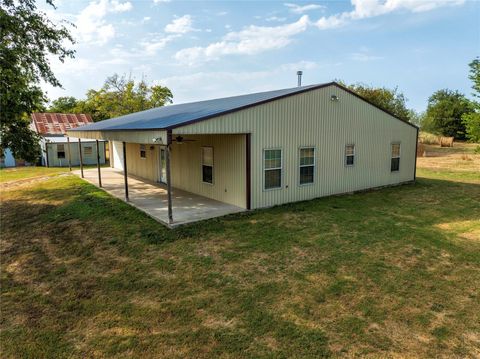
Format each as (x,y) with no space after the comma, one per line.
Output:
(363,9)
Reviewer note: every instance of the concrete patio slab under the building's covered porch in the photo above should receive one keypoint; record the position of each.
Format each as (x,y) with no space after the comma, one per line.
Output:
(151,198)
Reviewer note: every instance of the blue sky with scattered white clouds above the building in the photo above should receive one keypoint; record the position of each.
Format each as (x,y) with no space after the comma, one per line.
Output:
(210,49)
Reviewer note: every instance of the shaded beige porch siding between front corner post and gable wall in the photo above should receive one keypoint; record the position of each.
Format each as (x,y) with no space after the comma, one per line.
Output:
(229,181)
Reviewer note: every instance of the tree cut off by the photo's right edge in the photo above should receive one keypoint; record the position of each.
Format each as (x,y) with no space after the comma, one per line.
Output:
(472,120)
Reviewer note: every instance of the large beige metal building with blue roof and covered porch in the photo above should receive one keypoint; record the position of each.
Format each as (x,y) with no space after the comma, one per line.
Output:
(263,149)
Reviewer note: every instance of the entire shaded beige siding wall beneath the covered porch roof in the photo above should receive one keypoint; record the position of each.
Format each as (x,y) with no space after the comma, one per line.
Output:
(229,181)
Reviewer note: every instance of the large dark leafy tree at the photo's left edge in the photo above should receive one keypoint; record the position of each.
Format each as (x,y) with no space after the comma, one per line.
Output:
(27,39)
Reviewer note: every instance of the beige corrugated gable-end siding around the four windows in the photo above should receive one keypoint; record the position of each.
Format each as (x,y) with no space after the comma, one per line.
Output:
(313,119)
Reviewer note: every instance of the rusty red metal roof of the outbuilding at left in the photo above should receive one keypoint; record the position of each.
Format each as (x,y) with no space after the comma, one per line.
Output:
(58,123)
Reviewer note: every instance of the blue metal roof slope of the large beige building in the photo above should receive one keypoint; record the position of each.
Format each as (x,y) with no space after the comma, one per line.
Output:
(168,117)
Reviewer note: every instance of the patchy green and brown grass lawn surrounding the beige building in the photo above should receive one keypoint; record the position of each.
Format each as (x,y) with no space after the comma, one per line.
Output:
(389,273)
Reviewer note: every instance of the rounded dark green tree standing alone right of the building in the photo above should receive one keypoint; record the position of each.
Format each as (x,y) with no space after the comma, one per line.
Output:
(444,113)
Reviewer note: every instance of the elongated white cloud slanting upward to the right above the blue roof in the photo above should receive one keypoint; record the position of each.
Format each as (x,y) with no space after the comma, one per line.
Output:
(251,40)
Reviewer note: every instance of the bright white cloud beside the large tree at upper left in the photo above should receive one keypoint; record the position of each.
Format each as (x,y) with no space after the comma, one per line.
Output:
(91,26)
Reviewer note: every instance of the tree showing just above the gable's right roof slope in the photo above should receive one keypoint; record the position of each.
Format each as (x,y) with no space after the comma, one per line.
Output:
(391,100)
